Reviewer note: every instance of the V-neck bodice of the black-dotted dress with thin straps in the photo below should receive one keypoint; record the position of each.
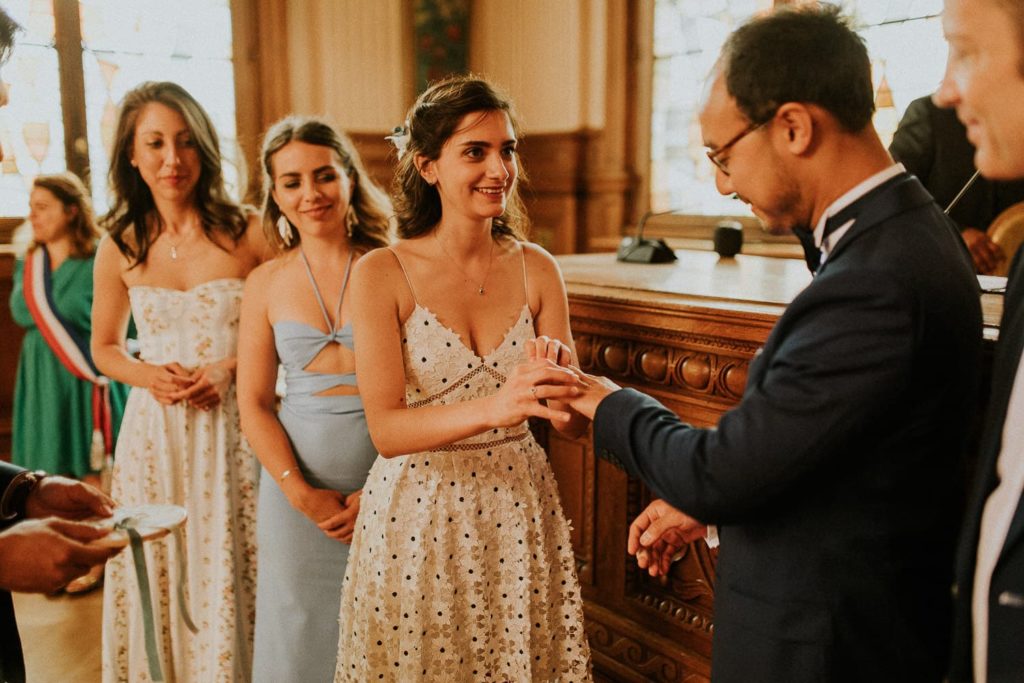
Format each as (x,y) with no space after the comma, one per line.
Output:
(442,370)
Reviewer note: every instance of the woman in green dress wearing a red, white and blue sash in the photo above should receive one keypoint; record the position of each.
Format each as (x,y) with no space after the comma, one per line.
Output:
(54,410)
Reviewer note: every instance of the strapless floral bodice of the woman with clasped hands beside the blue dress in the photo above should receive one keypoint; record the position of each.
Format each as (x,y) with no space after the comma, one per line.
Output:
(194,327)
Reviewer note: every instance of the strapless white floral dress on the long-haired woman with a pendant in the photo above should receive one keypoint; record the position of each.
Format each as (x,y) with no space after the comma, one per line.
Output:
(198,459)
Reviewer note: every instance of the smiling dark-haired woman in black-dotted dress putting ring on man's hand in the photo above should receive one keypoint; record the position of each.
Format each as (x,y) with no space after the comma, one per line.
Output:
(461,567)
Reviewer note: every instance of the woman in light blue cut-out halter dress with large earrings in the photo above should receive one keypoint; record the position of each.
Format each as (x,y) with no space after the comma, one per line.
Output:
(323,214)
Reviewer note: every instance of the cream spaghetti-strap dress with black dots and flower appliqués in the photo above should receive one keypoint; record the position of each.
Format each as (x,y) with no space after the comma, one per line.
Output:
(461,568)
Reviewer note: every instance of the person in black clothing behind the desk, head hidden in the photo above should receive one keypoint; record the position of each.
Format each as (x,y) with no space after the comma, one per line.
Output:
(932,144)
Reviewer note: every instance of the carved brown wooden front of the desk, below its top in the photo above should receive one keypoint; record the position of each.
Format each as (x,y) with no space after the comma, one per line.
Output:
(695,358)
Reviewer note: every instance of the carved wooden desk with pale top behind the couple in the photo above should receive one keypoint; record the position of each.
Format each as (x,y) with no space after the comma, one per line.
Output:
(685,333)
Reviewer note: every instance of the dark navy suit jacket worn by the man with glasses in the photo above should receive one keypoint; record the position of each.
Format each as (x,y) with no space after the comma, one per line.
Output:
(835,481)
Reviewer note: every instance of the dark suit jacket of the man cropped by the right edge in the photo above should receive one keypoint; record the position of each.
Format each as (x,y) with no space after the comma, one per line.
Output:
(1006,599)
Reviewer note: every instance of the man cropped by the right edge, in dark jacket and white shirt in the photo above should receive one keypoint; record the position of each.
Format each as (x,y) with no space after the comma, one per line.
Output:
(986,82)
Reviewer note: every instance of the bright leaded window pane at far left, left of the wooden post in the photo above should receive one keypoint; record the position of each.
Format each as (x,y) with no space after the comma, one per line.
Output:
(31,125)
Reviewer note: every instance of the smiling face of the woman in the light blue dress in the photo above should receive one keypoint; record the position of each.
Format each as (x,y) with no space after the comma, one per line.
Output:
(311,188)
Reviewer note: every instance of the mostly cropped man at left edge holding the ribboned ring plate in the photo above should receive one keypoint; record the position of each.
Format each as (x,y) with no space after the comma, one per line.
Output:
(47,550)
